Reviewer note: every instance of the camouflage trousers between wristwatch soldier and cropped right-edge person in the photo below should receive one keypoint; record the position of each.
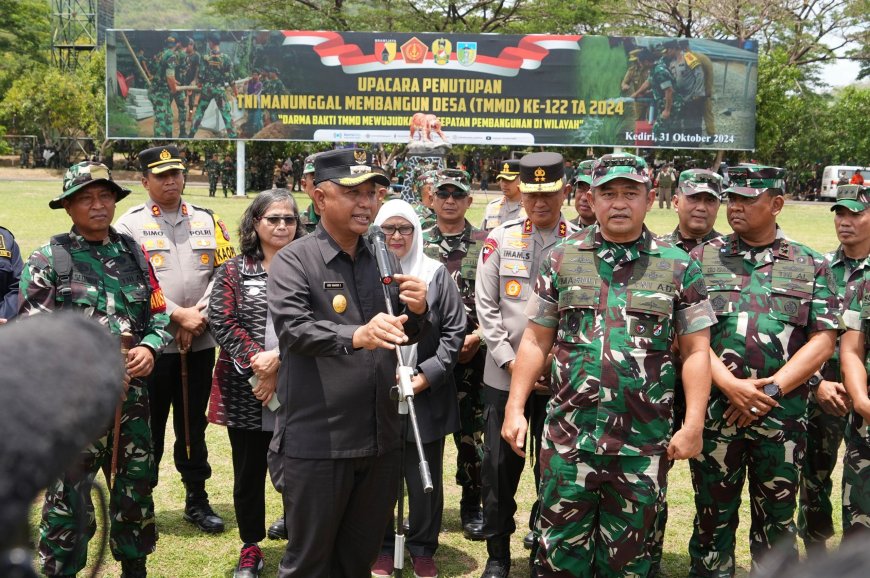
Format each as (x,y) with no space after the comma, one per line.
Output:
(815,512)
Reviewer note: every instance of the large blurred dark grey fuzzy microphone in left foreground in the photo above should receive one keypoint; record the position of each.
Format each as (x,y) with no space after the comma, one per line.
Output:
(57,394)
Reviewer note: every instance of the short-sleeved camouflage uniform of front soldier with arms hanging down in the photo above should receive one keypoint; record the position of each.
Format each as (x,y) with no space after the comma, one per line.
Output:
(617,310)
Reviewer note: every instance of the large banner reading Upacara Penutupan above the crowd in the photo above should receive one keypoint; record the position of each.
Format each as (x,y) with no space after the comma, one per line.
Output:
(568,90)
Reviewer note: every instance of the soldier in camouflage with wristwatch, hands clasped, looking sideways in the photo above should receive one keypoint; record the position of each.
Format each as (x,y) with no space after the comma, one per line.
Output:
(778,310)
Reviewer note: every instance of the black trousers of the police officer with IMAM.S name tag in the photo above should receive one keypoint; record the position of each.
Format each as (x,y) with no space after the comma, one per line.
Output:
(502,468)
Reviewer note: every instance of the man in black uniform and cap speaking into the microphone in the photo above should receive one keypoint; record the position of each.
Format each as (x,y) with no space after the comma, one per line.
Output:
(338,429)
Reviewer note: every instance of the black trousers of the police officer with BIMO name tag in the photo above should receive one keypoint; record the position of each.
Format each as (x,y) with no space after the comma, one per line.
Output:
(164,389)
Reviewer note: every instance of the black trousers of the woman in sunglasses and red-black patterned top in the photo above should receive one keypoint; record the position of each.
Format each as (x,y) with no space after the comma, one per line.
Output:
(249,472)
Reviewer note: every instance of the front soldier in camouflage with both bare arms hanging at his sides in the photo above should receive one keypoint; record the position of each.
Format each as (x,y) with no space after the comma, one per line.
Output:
(609,302)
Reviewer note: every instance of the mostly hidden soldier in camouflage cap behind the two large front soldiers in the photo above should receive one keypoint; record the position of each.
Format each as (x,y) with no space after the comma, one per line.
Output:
(697,206)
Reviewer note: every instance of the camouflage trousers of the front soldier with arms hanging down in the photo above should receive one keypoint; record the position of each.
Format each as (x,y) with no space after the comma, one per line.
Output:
(596,514)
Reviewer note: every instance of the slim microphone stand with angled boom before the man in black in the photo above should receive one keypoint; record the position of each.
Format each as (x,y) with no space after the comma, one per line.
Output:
(406,408)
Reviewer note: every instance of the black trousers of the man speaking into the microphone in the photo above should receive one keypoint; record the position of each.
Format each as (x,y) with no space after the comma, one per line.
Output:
(336,511)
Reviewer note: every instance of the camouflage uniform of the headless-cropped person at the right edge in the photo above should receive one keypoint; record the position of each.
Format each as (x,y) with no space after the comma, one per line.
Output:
(856,462)
